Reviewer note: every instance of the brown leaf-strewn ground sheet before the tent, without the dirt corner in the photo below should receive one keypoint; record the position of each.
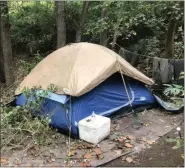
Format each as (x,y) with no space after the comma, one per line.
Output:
(109,149)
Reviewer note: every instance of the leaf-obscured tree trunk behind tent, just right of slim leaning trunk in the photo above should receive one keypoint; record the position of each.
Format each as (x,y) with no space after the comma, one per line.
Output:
(103,34)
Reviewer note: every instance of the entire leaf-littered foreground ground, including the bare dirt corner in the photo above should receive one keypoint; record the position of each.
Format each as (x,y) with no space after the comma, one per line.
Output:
(152,124)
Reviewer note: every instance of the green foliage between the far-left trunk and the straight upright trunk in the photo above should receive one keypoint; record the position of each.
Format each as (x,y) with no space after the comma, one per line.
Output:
(33,27)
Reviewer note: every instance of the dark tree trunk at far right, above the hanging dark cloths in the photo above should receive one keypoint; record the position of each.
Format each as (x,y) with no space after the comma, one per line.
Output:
(170,37)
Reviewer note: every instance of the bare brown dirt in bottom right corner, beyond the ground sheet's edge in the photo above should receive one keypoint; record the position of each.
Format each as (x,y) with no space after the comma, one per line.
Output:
(160,154)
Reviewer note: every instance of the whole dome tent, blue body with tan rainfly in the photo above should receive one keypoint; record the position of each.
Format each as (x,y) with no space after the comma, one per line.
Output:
(88,80)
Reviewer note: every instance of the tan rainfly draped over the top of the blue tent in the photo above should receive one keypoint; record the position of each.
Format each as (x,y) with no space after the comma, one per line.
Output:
(76,69)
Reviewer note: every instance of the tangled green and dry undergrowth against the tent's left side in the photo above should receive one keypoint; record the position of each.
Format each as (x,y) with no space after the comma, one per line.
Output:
(20,128)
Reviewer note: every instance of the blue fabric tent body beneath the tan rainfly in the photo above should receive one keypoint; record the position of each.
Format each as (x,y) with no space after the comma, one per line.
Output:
(106,99)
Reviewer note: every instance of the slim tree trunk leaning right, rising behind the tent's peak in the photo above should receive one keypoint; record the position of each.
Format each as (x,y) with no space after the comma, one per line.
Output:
(82,21)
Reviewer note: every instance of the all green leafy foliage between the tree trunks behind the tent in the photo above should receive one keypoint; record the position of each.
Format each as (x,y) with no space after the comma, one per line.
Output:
(34,29)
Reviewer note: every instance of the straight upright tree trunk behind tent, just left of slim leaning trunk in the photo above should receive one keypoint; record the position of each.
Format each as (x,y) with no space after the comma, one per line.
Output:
(60,22)
